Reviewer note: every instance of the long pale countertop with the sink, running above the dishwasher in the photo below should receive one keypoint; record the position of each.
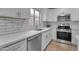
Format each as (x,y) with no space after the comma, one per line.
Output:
(10,38)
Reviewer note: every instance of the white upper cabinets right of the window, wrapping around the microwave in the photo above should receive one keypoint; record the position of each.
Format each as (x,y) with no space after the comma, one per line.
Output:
(51,14)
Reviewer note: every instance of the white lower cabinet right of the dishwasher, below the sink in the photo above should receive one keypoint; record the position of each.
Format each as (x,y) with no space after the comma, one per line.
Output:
(46,38)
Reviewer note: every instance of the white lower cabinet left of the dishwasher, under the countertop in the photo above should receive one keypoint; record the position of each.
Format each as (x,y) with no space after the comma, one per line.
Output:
(16,46)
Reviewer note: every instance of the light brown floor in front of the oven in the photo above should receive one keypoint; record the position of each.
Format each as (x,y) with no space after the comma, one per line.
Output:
(57,46)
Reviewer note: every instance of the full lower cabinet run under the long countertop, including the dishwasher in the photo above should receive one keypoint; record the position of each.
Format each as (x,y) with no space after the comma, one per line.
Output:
(35,43)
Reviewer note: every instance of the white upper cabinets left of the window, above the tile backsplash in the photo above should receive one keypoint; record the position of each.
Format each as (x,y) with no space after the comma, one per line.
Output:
(15,12)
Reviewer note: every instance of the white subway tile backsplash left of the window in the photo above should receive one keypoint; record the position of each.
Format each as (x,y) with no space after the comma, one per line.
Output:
(14,25)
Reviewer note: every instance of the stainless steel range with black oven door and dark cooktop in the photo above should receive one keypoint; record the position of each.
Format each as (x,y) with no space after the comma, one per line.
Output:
(64,33)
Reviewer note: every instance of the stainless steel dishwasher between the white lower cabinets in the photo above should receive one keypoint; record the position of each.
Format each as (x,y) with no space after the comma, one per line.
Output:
(34,43)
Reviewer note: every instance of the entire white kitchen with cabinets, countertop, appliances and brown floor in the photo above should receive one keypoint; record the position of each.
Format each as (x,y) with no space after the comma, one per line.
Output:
(39,29)
